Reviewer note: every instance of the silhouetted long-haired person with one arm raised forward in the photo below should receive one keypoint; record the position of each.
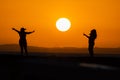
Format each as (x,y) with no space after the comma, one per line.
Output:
(91,41)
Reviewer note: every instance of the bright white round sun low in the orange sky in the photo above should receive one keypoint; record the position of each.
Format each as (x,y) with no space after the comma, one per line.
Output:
(63,24)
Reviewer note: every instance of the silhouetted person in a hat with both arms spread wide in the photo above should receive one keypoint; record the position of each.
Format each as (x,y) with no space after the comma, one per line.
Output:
(22,40)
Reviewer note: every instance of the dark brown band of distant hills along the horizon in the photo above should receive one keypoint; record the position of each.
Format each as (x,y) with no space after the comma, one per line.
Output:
(66,50)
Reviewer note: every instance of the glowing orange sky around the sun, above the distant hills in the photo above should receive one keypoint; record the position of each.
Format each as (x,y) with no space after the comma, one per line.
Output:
(41,16)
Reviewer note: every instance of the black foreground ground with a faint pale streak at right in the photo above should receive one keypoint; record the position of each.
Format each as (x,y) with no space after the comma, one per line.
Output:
(17,67)
